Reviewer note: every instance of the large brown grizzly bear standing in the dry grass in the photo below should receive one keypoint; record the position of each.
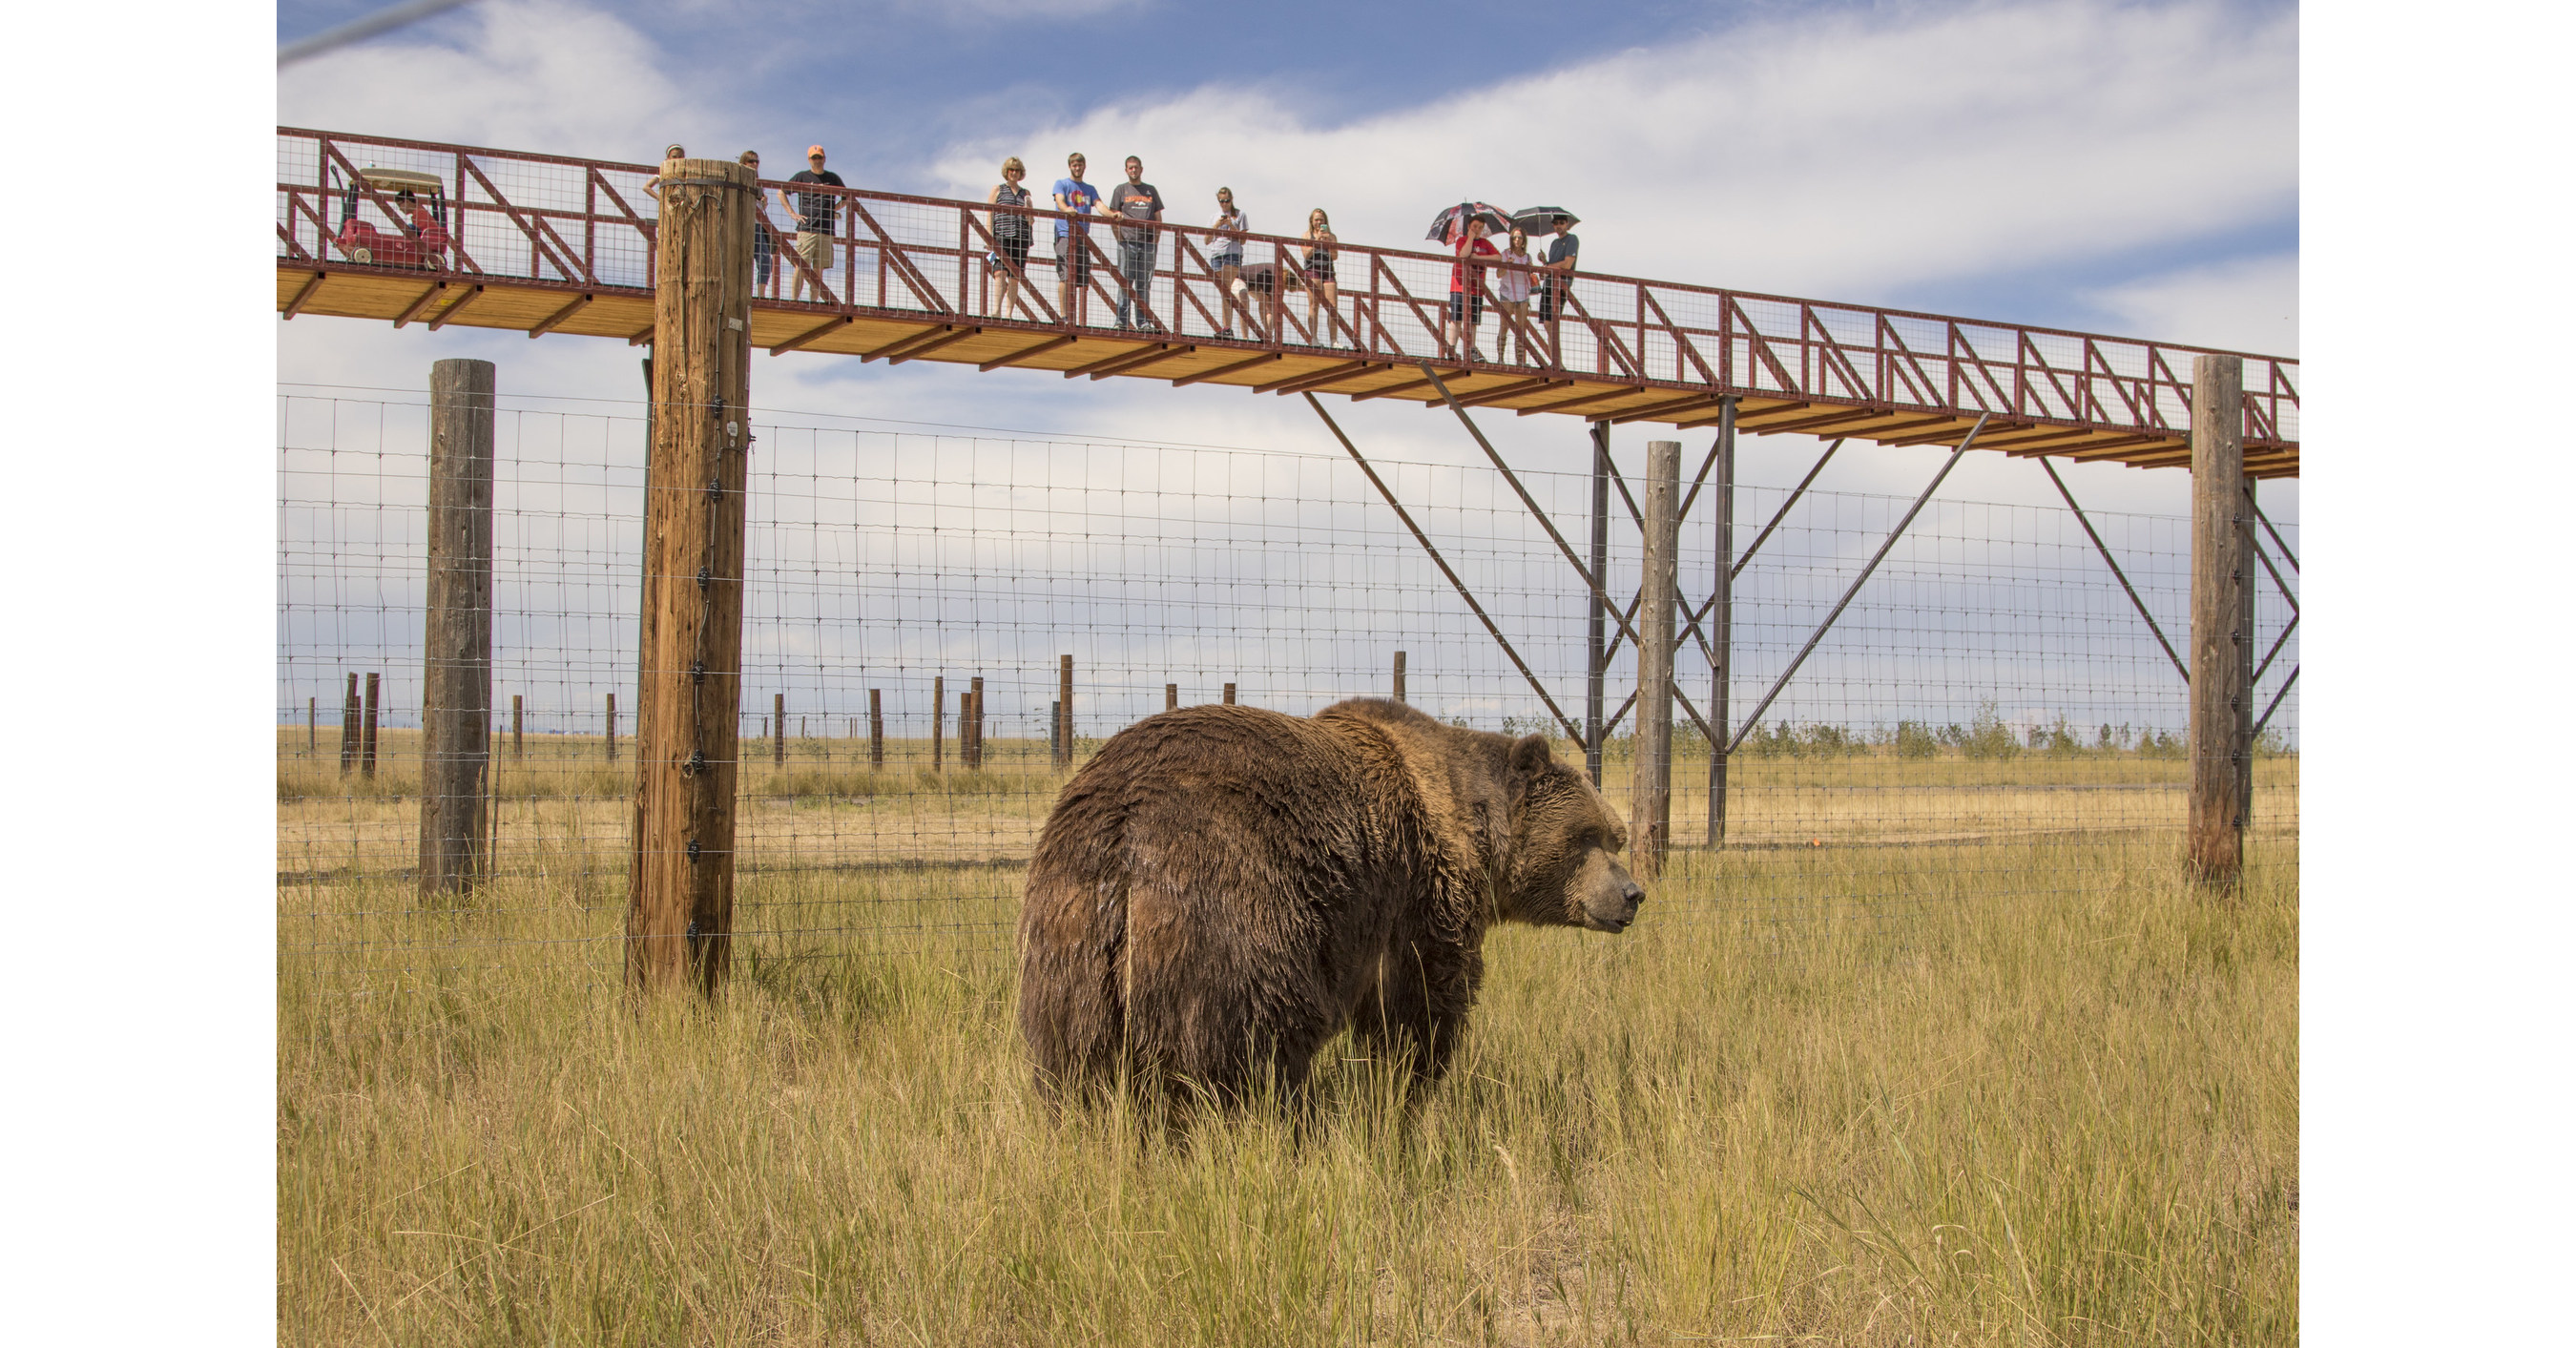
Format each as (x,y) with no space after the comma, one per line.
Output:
(1220,891)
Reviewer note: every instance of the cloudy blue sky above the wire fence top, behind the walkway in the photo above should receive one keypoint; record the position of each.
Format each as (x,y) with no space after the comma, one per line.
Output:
(2083,164)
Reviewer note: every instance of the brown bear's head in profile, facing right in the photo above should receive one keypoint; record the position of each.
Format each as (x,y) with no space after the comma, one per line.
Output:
(1562,865)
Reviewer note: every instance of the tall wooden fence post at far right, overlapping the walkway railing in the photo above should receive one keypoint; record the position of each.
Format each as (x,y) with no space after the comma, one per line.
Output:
(2222,622)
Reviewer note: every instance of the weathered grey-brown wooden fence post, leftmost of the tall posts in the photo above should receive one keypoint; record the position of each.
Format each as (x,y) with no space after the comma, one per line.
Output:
(457,635)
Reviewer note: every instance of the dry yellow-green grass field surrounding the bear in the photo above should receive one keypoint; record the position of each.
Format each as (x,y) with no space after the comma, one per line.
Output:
(1933,1053)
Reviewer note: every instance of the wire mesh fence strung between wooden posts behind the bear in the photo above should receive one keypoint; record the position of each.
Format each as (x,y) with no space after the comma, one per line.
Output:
(1987,713)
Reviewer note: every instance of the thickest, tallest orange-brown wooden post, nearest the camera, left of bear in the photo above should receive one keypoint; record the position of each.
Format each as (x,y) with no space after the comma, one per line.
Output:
(689,718)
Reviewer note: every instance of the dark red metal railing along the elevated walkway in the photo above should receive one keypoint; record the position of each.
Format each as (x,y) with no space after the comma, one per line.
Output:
(586,226)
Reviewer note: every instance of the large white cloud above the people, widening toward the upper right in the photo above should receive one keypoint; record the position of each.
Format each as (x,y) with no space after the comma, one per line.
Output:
(1815,156)
